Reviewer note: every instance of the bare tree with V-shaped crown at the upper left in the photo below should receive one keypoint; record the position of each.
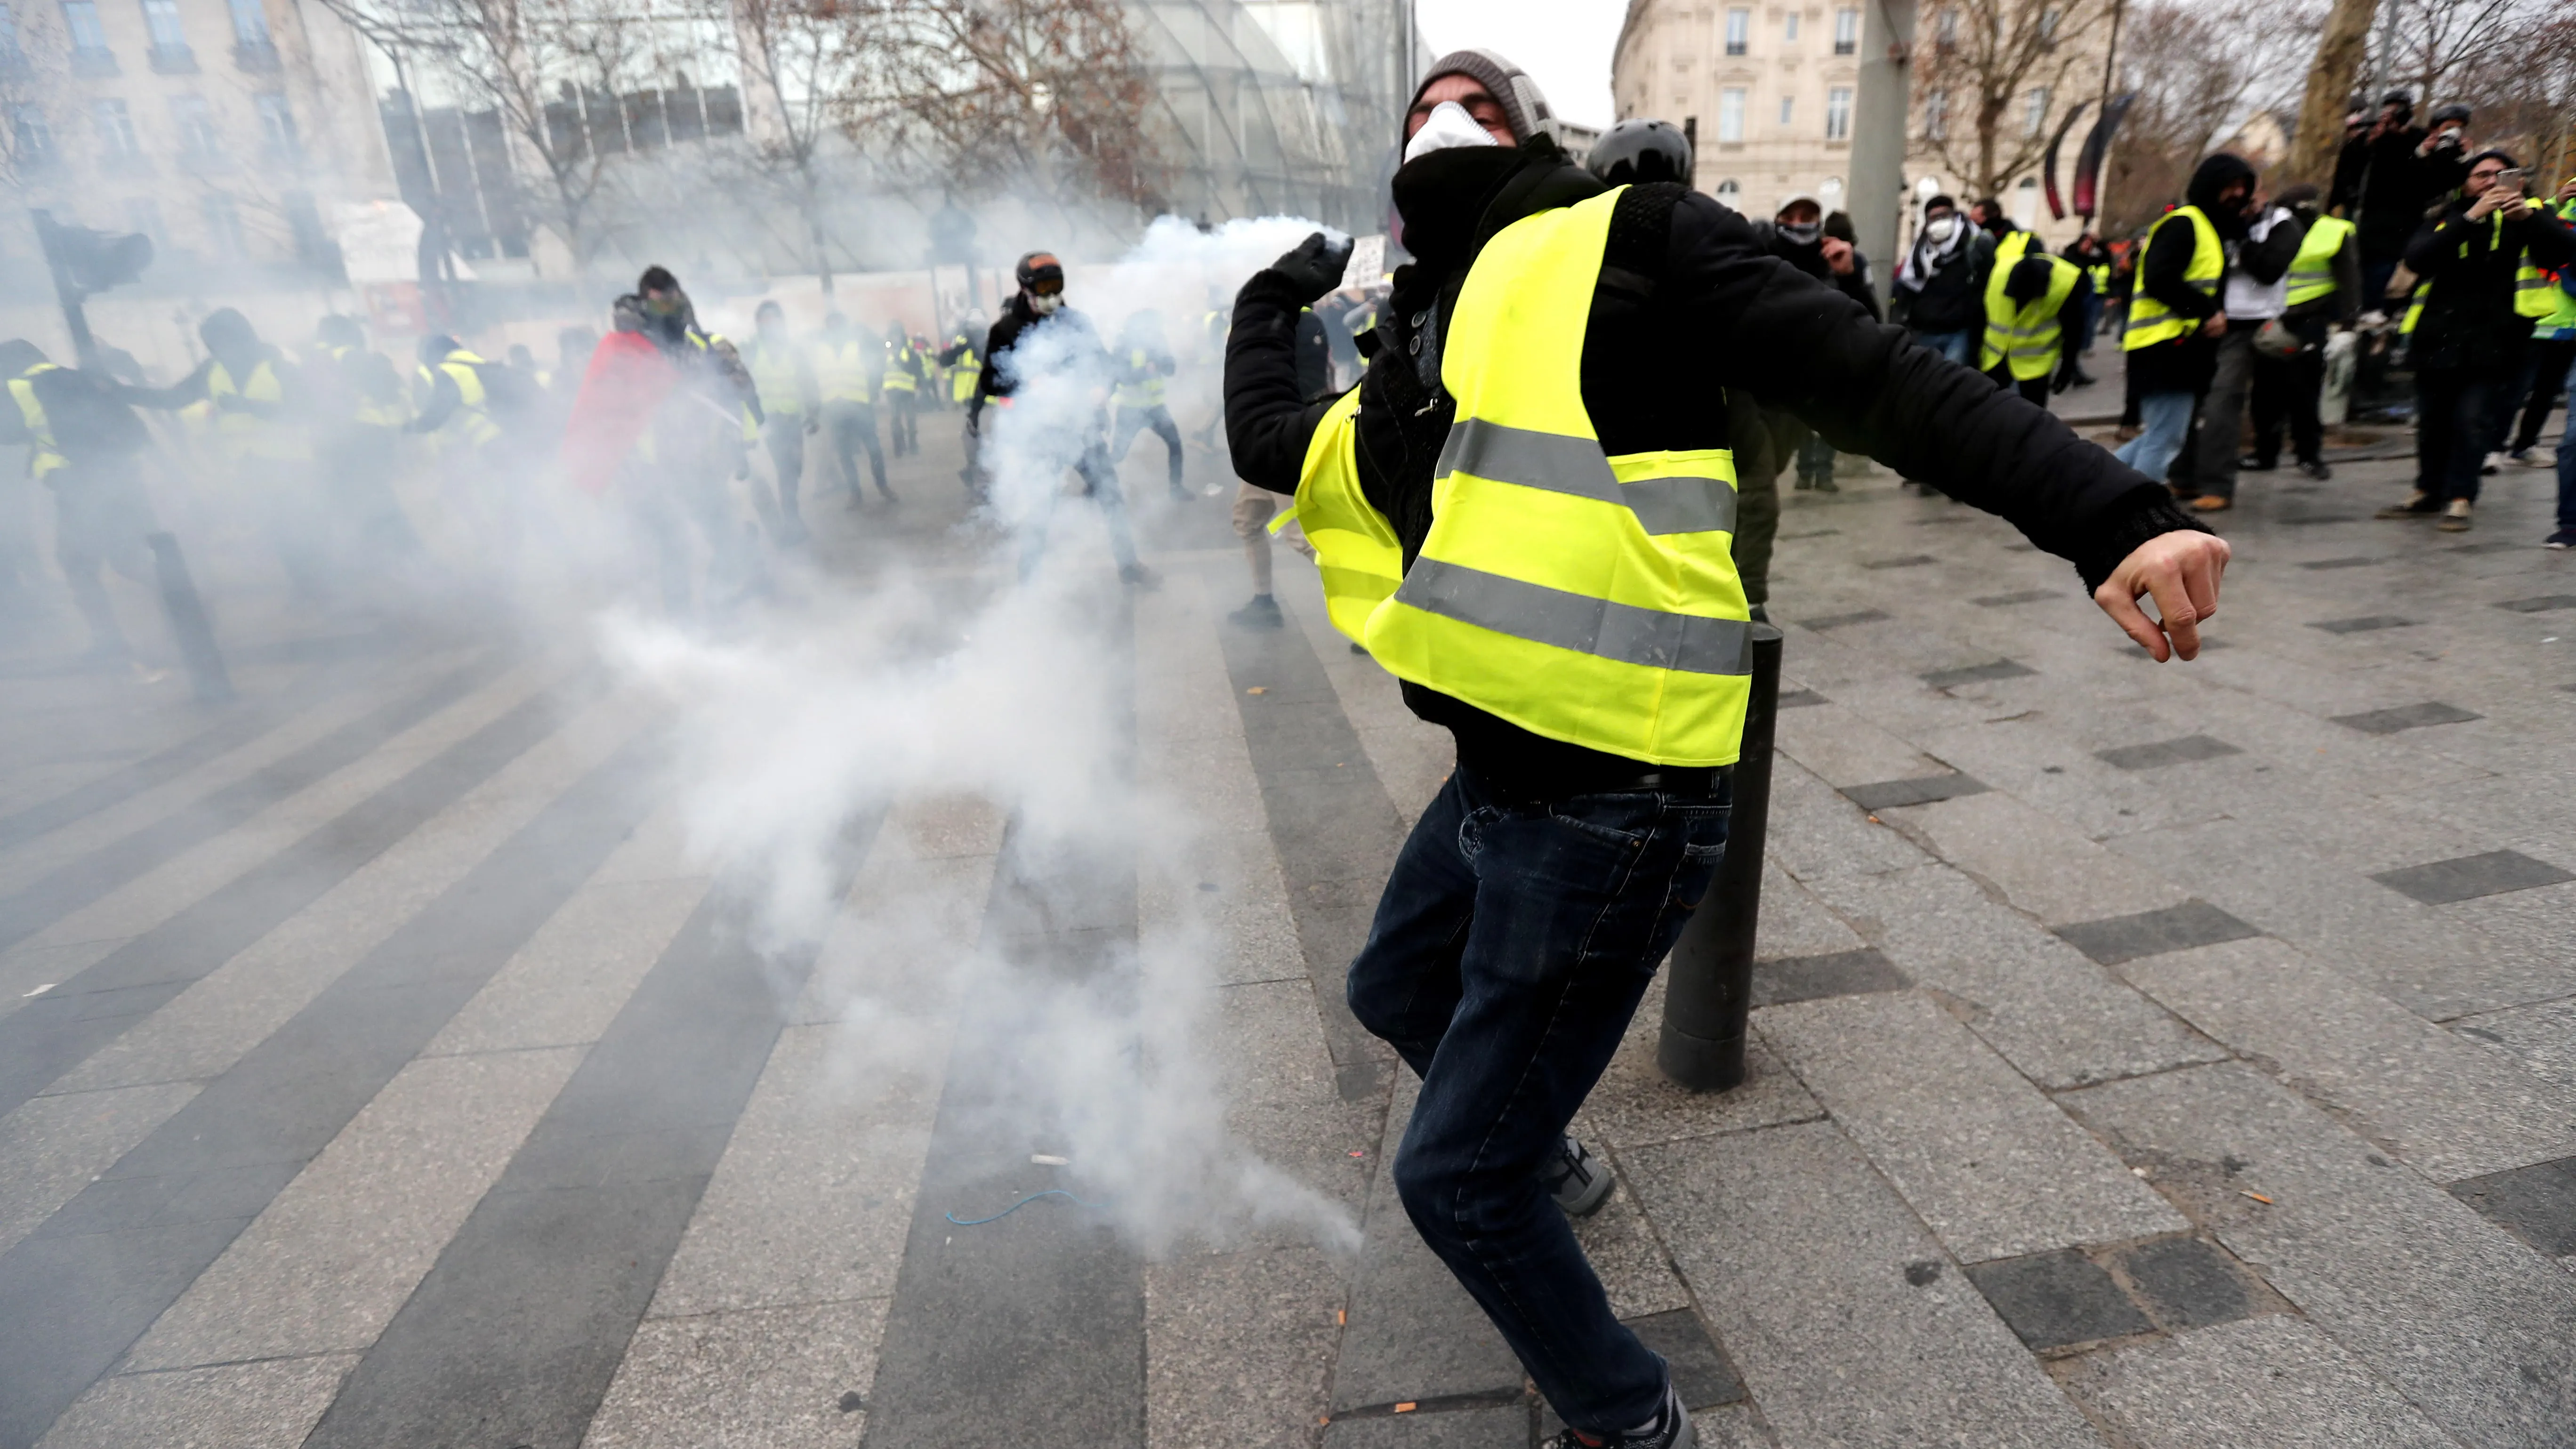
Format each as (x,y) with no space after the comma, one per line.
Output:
(553,76)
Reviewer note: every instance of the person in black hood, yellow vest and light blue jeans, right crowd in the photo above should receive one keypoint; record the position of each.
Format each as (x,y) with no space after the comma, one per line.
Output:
(2175,316)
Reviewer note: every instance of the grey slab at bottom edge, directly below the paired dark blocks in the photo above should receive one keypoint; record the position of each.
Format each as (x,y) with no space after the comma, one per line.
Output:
(2268,1381)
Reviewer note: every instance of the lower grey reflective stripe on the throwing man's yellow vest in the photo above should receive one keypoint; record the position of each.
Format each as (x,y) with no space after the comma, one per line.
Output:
(1624,633)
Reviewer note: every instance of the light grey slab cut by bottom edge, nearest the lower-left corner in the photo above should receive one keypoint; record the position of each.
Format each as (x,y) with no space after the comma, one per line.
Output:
(236,1404)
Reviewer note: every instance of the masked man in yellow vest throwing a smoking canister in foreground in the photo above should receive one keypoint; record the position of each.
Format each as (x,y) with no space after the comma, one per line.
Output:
(1524,514)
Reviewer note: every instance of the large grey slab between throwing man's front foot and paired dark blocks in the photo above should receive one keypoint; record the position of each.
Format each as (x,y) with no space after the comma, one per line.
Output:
(1851,1327)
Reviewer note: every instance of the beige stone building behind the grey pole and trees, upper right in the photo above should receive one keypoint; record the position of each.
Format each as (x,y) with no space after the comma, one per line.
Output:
(1768,94)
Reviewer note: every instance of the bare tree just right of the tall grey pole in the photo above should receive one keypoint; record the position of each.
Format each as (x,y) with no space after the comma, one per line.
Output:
(1995,73)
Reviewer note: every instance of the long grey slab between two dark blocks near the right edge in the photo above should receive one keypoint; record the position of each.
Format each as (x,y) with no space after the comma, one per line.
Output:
(2400,948)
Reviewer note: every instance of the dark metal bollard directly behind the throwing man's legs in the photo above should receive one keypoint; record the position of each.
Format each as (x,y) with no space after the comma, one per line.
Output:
(1712,976)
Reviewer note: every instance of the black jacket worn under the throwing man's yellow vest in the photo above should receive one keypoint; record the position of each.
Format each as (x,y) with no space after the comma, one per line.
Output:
(1689,306)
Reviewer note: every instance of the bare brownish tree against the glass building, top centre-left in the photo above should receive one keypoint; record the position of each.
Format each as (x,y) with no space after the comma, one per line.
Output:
(985,94)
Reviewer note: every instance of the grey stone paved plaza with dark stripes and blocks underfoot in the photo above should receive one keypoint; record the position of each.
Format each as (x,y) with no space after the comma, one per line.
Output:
(2152,1058)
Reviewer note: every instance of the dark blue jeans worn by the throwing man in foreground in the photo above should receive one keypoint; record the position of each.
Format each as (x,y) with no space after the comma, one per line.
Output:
(1506,960)
